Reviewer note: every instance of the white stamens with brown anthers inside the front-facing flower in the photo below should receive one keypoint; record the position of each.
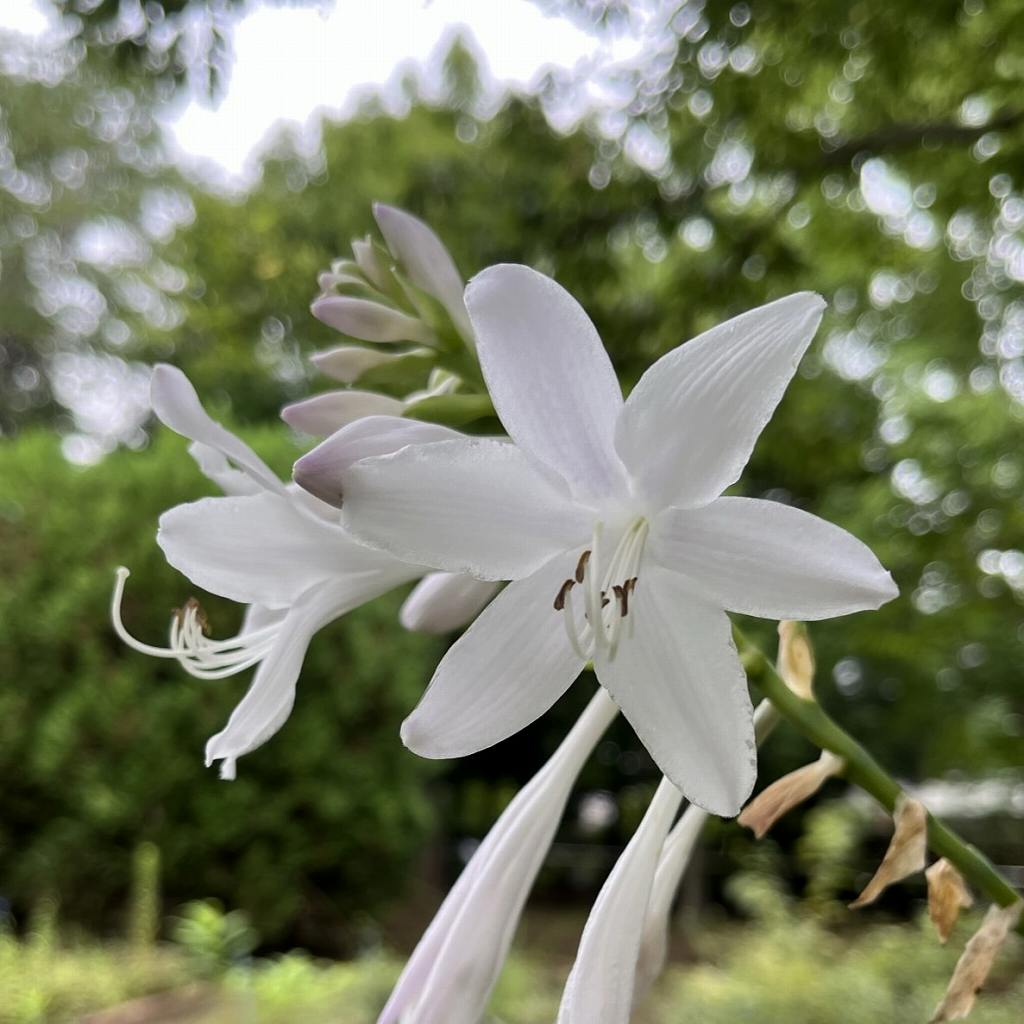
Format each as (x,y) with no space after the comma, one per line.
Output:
(607,589)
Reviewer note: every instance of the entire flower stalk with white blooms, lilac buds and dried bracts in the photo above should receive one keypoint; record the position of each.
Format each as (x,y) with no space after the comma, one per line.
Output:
(594,533)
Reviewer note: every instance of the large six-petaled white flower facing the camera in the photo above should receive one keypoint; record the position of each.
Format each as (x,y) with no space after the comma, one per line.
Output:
(608,518)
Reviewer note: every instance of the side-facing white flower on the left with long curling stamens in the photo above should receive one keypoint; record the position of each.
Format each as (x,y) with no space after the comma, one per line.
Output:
(273,547)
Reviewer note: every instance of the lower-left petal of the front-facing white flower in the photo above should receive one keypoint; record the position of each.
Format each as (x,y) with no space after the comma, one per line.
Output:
(506,671)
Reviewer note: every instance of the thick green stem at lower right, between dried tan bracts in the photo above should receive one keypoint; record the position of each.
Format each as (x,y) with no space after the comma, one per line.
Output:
(864,771)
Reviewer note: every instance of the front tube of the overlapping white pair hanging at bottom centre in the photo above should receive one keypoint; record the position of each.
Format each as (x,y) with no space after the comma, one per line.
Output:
(601,987)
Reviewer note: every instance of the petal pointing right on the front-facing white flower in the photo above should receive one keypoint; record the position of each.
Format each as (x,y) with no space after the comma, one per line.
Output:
(769,560)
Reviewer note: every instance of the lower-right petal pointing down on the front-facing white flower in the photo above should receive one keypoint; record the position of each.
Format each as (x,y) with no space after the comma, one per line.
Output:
(678,679)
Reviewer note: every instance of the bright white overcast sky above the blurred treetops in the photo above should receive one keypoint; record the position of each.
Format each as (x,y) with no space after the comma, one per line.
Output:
(291,62)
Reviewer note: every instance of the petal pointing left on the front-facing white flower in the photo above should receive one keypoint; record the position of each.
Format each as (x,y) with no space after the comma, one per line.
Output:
(474,505)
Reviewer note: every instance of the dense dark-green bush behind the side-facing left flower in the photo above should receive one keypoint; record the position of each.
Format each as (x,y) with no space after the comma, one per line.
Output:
(102,749)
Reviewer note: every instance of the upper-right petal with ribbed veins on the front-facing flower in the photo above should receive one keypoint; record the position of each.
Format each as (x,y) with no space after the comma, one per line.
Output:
(691,424)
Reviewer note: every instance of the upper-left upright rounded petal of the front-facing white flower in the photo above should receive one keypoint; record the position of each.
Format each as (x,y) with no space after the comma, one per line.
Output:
(549,376)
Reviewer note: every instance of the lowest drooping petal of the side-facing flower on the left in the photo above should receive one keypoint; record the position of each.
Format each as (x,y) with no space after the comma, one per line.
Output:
(269,703)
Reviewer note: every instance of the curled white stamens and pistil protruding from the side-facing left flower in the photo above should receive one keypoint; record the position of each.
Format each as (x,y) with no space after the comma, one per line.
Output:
(191,648)
